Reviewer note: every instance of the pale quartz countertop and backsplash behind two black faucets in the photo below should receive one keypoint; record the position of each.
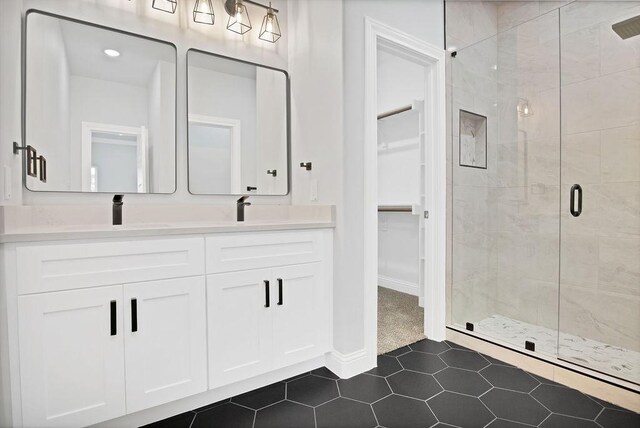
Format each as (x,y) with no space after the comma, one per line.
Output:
(54,223)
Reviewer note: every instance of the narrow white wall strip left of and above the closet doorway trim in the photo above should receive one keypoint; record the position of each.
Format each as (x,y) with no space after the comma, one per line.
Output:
(421,19)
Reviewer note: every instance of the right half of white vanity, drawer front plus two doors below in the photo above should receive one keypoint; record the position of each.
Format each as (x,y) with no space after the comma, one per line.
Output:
(271,317)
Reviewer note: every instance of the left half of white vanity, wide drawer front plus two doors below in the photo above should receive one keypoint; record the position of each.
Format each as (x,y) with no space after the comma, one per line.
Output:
(76,345)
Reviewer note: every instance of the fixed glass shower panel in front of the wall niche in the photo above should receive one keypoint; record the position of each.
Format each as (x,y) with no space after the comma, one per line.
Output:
(505,240)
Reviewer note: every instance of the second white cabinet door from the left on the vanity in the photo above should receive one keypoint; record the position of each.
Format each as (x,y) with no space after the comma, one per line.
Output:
(166,352)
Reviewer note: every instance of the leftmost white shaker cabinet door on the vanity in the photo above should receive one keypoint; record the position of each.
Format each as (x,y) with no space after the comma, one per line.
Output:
(71,357)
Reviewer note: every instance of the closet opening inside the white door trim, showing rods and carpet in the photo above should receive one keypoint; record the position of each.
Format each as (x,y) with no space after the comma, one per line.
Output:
(400,147)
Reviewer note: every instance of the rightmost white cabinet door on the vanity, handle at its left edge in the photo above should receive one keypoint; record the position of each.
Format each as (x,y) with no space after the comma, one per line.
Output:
(301,322)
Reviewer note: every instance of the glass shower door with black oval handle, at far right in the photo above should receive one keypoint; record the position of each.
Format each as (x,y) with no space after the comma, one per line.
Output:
(599,304)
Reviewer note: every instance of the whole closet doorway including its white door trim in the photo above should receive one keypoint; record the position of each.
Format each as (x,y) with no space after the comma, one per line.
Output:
(405,190)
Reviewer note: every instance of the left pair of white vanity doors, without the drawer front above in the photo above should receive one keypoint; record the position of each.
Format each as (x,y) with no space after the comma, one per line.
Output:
(75,347)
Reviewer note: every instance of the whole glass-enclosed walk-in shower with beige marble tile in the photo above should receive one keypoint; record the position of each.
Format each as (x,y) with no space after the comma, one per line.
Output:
(546,239)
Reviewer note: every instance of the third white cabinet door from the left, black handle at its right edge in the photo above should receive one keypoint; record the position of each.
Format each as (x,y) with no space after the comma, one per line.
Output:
(239,325)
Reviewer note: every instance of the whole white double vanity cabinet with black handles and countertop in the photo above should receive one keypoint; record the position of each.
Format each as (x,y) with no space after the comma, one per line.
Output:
(100,327)
